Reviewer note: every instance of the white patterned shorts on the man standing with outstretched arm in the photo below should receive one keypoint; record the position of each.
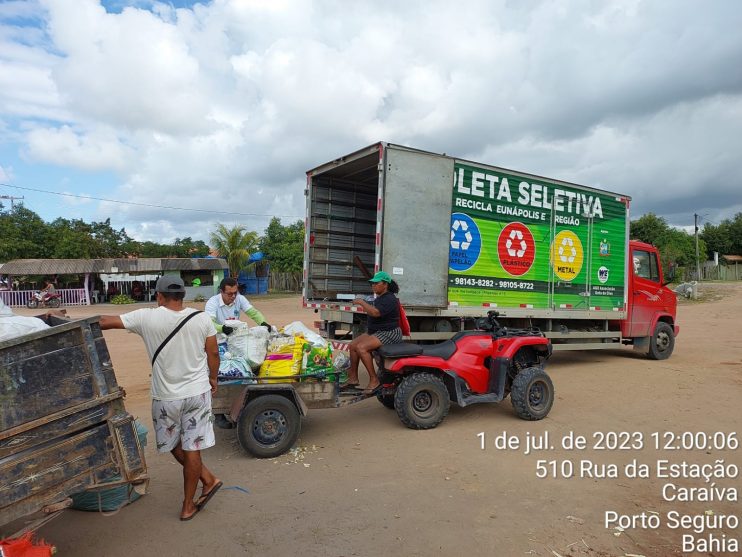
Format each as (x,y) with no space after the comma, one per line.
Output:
(187,421)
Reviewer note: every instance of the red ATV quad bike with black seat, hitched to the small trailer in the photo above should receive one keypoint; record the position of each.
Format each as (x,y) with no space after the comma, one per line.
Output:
(485,365)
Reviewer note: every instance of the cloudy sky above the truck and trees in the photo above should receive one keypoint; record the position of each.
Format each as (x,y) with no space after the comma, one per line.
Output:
(224,105)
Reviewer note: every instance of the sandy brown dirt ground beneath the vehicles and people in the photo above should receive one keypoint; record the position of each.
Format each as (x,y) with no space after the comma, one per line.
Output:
(362,484)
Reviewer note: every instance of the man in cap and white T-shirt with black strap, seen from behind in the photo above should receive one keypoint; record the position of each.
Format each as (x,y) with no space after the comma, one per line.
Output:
(184,369)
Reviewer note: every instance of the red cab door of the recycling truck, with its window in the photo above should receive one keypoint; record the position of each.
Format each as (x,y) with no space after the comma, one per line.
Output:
(645,285)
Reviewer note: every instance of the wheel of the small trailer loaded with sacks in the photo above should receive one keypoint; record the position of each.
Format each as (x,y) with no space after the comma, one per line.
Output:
(268,426)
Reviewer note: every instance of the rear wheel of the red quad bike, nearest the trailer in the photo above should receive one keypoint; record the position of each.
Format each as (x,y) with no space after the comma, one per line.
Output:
(421,401)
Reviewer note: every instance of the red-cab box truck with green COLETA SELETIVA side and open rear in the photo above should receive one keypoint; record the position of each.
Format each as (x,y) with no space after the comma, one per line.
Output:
(391,207)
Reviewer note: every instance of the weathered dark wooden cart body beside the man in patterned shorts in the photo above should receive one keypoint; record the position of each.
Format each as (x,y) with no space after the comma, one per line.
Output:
(63,425)
